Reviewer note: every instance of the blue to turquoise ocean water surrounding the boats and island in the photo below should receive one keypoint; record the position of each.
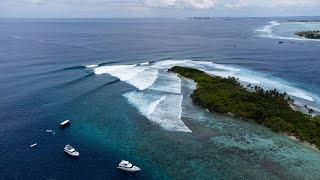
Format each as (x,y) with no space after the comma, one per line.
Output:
(44,80)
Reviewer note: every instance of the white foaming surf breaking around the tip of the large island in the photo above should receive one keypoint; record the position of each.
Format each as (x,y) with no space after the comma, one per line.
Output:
(158,94)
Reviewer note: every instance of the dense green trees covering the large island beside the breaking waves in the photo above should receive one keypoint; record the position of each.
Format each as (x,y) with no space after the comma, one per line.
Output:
(270,108)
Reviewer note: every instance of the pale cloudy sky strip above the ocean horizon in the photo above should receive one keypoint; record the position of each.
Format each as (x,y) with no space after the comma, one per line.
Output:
(156,8)
